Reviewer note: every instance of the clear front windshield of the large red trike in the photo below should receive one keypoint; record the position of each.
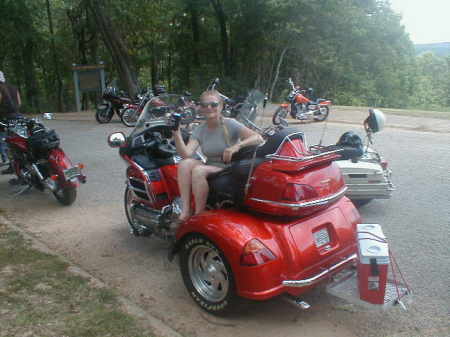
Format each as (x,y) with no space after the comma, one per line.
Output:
(157,110)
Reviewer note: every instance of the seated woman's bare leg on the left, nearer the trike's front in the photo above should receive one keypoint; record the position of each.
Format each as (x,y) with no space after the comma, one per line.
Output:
(184,184)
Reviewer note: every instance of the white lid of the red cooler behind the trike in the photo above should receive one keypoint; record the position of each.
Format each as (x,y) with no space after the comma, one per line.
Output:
(369,246)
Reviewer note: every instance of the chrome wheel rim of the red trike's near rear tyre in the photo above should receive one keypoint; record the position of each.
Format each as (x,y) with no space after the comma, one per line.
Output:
(208,273)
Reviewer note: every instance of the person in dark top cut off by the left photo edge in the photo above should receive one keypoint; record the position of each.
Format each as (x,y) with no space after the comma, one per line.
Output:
(9,109)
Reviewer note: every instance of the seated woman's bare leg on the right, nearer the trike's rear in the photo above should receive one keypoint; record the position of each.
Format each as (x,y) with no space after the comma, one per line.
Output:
(200,186)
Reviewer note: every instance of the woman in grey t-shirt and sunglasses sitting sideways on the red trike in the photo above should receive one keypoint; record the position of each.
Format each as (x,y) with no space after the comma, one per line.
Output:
(218,138)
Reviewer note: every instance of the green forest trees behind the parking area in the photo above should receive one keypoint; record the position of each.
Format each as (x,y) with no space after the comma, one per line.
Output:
(355,52)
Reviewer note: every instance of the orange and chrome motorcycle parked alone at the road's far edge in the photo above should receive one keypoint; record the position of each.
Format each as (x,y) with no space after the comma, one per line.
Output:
(301,107)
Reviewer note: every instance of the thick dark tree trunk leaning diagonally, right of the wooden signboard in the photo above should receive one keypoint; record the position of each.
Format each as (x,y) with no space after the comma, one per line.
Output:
(116,47)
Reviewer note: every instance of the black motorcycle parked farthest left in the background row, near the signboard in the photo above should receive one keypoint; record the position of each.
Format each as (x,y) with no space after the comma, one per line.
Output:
(113,102)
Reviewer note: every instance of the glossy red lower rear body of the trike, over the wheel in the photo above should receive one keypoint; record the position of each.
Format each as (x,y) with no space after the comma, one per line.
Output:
(291,242)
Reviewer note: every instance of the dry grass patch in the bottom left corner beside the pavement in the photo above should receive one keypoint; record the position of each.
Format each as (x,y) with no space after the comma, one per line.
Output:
(39,297)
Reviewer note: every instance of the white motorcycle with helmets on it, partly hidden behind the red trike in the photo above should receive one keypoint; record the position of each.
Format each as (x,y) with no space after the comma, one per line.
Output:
(366,173)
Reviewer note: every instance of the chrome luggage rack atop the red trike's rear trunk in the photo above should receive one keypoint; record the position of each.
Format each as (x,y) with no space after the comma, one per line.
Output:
(318,151)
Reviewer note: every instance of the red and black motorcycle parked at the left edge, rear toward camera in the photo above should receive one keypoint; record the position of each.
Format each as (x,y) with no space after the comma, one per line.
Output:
(38,160)
